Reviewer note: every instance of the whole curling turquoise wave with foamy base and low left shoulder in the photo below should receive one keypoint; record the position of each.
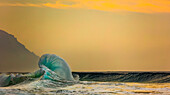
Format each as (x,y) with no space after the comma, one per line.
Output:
(53,71)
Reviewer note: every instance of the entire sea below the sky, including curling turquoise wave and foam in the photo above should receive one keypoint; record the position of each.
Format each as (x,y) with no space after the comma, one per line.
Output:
(54,76)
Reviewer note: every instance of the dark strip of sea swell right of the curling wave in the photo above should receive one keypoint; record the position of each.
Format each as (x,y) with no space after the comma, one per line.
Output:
(125,76)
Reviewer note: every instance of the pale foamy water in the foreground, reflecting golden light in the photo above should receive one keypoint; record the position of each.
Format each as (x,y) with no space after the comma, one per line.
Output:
(87,87)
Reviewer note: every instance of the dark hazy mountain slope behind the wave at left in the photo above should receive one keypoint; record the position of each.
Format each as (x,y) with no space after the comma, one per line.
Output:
(14,57)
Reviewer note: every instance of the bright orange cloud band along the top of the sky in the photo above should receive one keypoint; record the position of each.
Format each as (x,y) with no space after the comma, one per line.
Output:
(142,6)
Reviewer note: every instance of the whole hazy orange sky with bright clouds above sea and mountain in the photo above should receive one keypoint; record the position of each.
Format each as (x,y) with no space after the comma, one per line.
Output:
(94,35)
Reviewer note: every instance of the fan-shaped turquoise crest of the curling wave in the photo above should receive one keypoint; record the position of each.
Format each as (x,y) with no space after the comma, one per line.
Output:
(55,66)
